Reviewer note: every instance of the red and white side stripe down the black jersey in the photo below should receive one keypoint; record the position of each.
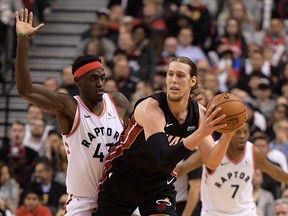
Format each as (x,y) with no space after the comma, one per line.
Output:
(126,140)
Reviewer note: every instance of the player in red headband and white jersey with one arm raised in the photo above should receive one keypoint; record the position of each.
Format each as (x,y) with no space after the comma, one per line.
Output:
(90,123)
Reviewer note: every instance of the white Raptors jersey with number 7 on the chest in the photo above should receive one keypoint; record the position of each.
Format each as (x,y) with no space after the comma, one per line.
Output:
(228,189)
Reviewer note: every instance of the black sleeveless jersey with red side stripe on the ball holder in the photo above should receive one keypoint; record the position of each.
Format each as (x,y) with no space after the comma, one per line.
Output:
(133,158)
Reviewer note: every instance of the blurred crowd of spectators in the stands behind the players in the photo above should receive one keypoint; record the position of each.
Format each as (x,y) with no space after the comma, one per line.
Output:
(239,46)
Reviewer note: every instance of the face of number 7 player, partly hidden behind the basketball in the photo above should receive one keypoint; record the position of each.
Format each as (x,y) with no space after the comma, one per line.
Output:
(240,138)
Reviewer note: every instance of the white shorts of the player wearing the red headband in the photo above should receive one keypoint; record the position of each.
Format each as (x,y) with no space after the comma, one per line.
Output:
(83,206)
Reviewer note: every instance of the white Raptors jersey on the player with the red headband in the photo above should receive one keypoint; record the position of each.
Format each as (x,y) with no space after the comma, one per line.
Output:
(88,144)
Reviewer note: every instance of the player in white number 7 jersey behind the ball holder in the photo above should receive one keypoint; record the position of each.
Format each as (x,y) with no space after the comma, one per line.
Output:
(227,190)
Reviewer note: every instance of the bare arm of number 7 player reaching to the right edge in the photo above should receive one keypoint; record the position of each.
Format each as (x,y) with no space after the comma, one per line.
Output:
(266,166)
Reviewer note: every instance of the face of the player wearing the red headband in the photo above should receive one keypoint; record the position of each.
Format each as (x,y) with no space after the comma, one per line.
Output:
(91,85)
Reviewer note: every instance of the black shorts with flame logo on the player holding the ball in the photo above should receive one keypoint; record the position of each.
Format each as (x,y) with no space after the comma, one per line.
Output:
(121,195)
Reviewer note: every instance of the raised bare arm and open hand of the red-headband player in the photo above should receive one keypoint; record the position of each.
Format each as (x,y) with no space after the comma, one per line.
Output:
(34,93)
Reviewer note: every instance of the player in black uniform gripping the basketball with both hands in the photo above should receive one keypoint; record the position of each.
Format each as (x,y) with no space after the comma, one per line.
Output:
(164,128)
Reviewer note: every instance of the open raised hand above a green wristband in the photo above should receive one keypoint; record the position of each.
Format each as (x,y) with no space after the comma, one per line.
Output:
(24,22)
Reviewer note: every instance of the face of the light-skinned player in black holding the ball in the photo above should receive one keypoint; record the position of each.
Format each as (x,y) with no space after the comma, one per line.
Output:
(179,81)
